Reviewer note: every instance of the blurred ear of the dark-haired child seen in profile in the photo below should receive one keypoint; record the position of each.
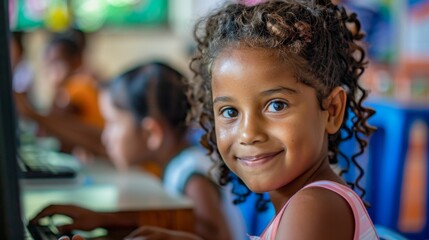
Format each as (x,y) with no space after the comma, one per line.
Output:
(154,133)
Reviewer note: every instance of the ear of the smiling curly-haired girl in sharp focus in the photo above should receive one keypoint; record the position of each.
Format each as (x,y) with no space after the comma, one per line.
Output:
(335,104)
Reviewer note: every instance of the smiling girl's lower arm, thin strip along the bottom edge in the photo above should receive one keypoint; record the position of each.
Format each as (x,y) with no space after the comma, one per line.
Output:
(157,233)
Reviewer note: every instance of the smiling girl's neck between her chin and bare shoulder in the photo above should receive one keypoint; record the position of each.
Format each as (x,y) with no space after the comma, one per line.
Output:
(321,171)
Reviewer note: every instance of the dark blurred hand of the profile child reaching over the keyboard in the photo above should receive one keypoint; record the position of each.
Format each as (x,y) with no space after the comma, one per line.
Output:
(83,219)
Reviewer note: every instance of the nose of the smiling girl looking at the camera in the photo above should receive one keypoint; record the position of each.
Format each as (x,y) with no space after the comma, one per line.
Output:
(252,131)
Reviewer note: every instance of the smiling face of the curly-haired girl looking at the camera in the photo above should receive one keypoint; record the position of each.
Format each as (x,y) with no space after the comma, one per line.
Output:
(270,129)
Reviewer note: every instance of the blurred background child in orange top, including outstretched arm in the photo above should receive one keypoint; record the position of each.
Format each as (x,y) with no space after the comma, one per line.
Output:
(74,117)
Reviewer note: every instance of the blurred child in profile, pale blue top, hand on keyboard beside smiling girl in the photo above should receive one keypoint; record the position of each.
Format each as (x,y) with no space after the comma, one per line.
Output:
(145,110)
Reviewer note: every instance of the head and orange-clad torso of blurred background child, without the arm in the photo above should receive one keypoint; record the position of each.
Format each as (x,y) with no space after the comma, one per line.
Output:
(76,89)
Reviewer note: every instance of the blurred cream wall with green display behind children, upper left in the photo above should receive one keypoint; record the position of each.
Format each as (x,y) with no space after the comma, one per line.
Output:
(119,33)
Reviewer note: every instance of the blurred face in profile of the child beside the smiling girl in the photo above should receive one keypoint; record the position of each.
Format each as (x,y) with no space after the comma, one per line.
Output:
(122,138)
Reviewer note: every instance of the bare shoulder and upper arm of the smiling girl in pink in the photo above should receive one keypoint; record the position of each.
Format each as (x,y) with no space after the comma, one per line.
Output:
(317,213)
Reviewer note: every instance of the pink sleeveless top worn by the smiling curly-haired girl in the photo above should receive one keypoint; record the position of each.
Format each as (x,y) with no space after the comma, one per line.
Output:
(364,229)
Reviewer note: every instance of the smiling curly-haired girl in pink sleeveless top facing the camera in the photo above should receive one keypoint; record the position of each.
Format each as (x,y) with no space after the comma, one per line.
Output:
(274,83)
